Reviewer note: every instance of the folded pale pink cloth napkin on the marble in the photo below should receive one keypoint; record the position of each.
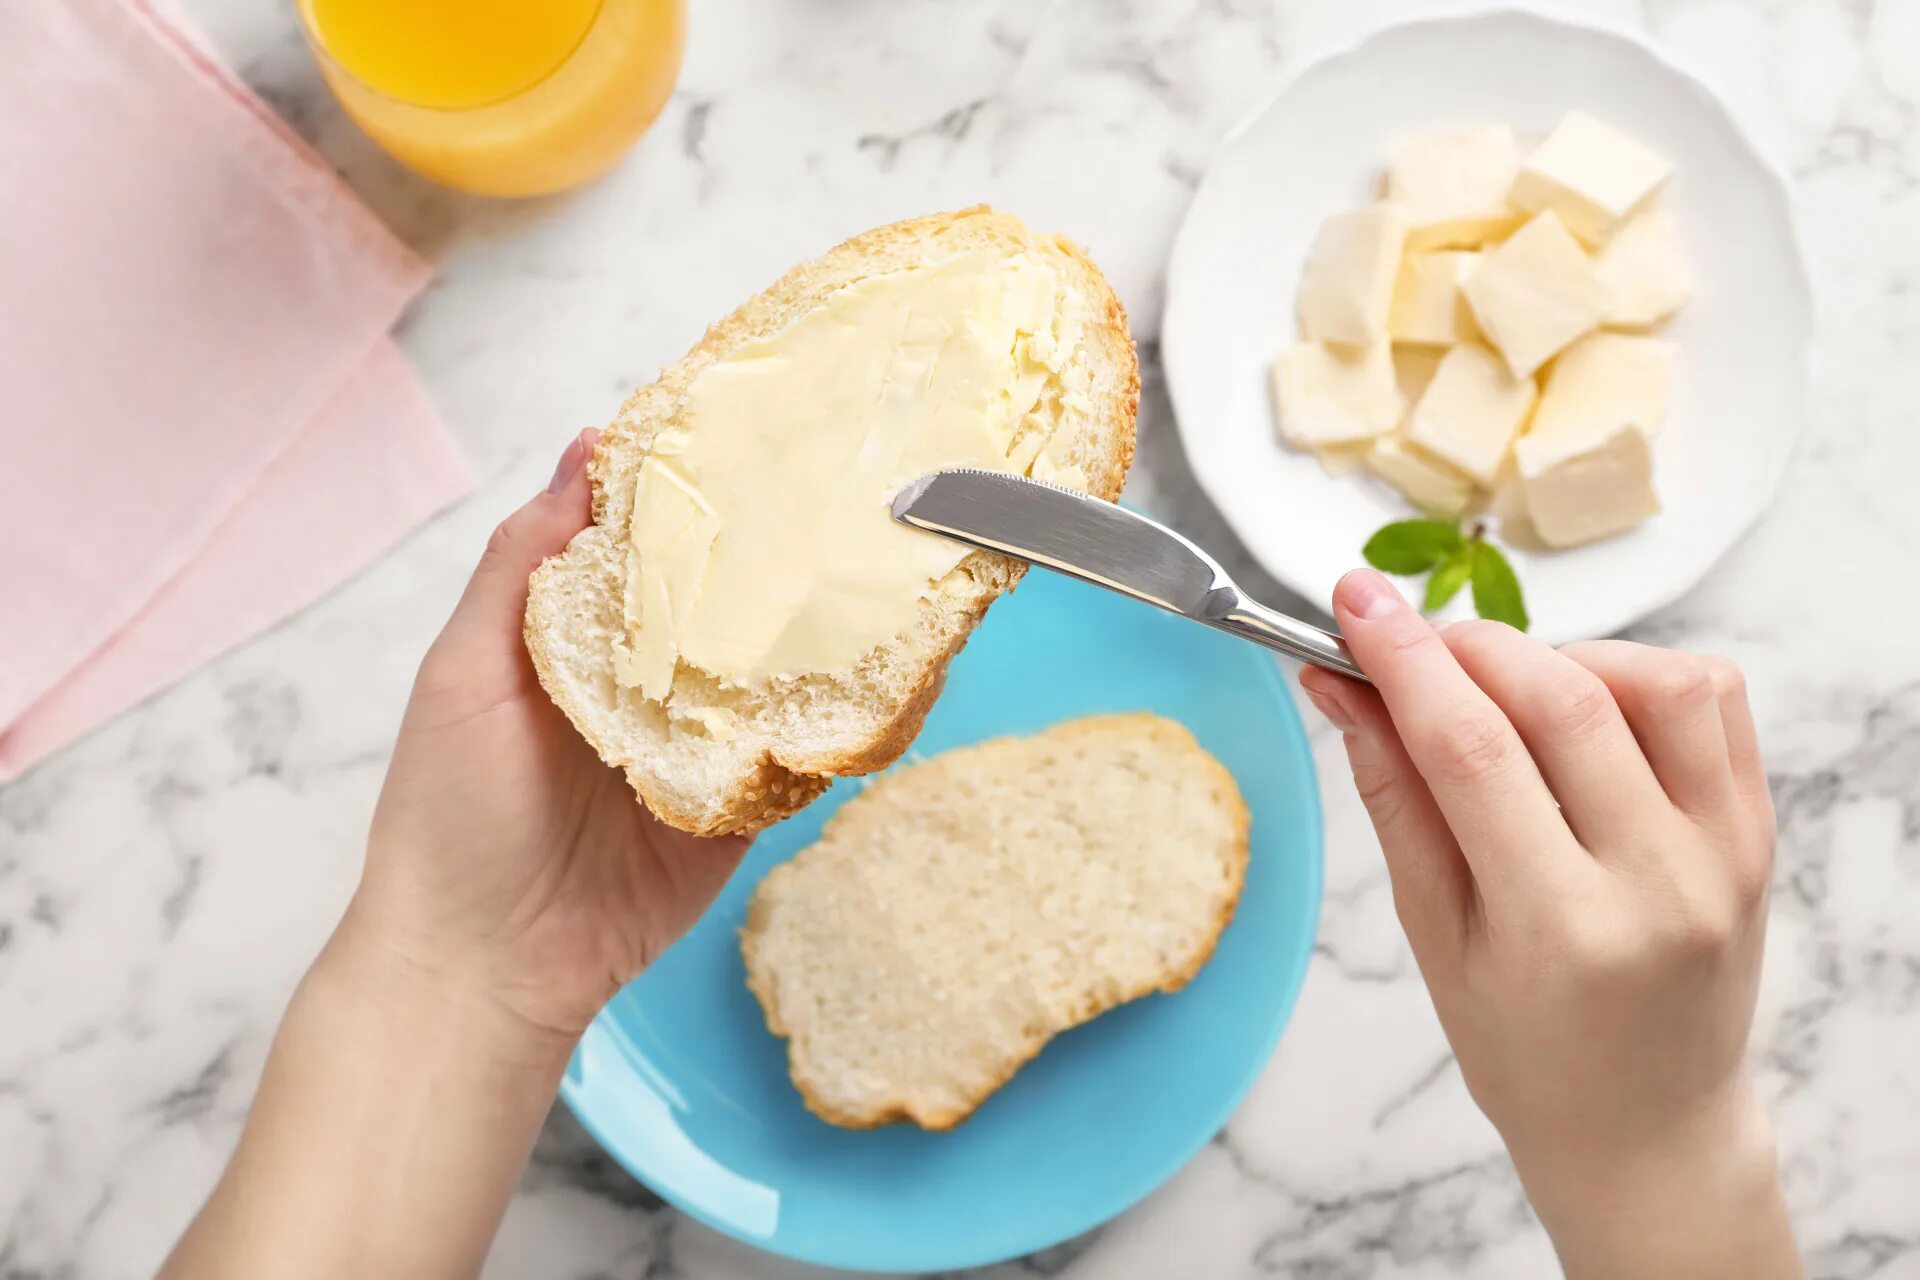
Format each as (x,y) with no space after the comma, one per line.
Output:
(204,423)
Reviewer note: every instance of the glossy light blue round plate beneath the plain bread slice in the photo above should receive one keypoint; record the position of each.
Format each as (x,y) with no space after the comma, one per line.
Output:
(681,1079)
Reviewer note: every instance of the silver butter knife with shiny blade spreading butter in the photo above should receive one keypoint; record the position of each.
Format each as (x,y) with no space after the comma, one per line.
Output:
(1111,548)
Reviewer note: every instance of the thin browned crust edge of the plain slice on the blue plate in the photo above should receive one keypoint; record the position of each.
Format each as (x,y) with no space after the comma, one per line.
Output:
(1228,794)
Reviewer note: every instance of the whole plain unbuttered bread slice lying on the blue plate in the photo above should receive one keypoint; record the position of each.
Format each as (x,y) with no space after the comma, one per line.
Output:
(963,911)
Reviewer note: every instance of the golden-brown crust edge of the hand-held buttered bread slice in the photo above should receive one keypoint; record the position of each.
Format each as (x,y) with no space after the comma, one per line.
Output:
(780,784)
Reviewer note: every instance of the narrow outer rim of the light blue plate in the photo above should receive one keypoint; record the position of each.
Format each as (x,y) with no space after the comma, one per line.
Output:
(1013,1244)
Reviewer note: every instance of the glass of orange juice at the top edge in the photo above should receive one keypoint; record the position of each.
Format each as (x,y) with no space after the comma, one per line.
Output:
(500,97)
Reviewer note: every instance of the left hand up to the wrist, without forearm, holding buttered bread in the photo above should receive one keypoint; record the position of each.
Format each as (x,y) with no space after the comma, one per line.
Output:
(506,857)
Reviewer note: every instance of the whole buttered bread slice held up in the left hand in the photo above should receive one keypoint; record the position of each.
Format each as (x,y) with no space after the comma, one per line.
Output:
(744,621)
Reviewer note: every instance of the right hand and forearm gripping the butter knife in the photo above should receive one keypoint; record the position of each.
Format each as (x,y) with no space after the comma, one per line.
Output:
(1581,849)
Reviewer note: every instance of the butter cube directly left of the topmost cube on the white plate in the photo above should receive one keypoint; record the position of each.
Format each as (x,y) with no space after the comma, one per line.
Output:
(1454,187)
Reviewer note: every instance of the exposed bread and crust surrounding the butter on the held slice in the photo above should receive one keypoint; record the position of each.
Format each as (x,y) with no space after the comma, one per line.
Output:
(788,740)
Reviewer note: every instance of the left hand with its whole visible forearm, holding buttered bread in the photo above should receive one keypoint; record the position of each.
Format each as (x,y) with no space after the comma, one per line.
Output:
(514,884)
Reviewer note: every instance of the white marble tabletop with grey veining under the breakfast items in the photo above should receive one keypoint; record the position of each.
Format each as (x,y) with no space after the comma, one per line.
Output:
(164,884)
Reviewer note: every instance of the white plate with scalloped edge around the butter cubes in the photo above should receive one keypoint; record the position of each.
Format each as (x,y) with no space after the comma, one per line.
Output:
(1320,147)
